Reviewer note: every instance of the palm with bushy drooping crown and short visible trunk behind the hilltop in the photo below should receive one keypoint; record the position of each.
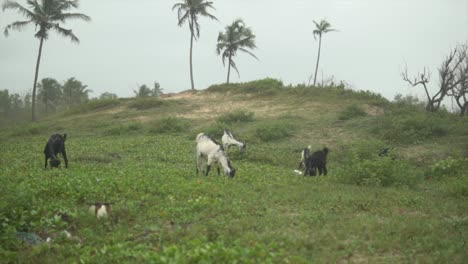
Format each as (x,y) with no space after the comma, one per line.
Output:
(237,37)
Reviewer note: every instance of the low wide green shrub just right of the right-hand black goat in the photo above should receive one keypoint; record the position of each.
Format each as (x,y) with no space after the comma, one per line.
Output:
(380,172)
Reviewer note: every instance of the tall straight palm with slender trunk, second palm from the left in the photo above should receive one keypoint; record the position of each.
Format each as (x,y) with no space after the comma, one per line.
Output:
(189,11)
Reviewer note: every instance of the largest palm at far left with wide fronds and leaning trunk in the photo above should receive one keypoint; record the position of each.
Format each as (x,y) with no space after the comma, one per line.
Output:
(45,15)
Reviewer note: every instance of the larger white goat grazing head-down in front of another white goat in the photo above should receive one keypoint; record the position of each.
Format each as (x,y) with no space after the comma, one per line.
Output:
(209,151)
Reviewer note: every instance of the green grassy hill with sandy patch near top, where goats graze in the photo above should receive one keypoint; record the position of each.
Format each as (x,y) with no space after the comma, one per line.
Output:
(139,154)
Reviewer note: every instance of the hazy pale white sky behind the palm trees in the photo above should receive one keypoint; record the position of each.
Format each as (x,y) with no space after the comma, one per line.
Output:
(130,42)
